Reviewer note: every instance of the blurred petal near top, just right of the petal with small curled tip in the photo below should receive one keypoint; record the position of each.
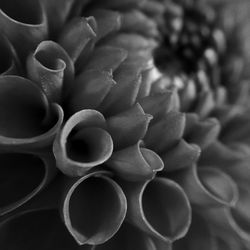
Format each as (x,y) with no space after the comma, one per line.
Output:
(107,21)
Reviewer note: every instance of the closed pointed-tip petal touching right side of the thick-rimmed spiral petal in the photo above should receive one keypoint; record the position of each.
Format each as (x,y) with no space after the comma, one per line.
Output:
(129,127)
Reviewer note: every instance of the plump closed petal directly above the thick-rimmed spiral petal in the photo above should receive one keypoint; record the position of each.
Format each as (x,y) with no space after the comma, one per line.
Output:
(89,90)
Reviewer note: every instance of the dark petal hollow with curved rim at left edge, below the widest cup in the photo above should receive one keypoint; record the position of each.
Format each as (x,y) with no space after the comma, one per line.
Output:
(22,177)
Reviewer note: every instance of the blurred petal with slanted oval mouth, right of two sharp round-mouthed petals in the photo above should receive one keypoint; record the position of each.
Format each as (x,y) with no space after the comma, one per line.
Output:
(207,186)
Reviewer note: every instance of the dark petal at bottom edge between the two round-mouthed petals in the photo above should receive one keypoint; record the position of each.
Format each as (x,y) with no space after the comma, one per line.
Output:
(128,237)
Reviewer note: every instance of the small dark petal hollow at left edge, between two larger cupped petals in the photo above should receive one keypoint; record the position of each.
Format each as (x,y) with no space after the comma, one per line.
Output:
(9,62)
